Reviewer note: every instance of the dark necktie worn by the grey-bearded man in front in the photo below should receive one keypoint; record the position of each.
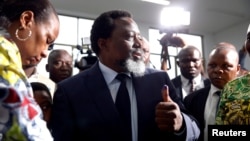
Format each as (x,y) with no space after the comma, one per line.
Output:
(123,105)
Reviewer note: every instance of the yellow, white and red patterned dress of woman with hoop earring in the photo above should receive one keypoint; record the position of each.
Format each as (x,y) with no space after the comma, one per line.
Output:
(20,116)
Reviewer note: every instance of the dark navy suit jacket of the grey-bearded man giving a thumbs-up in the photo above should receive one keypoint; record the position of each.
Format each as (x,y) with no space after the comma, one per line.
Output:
(83,109)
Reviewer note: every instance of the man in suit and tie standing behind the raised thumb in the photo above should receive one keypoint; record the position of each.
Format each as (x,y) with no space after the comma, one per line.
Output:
(192,74)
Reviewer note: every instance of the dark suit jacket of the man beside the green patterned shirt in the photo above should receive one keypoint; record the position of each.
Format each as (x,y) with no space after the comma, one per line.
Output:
(195,104)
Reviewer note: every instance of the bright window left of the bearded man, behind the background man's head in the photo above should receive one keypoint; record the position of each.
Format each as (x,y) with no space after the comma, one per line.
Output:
(73,31)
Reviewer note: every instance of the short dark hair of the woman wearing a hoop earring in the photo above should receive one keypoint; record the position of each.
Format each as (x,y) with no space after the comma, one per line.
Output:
(10,10)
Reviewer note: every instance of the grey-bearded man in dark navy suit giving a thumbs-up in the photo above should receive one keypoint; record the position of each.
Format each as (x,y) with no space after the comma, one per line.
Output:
(84,106)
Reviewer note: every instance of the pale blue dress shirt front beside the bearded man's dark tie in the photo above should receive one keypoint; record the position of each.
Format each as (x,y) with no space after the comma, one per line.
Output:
(113,85)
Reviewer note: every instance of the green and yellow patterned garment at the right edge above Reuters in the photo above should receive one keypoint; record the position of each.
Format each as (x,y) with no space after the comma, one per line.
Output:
(234,106)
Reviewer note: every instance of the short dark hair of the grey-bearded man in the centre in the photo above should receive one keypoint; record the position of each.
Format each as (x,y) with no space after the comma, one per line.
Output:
(104,25)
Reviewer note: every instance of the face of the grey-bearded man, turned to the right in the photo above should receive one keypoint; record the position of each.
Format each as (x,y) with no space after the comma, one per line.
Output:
(123,50)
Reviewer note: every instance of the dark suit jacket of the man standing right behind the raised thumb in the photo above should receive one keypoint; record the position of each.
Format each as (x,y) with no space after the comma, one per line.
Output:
(178,84)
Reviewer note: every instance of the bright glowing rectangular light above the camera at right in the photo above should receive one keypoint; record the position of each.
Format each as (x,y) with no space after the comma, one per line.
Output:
(174,16)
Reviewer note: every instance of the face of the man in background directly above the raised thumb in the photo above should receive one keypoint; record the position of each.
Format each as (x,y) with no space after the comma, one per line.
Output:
(190,63)
